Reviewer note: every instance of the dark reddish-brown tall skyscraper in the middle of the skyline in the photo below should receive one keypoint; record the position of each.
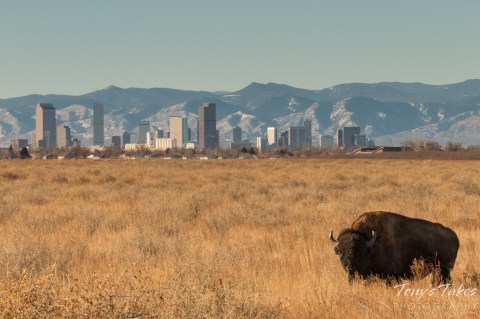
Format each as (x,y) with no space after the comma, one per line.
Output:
(207,126)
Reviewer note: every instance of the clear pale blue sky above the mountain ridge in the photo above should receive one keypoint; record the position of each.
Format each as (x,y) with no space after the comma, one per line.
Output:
(74,47)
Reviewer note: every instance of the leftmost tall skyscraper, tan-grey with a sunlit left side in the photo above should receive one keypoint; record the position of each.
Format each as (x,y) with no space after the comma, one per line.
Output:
(46,127)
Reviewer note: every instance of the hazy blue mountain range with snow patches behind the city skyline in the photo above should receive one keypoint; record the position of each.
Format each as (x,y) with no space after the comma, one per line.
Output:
(388,112)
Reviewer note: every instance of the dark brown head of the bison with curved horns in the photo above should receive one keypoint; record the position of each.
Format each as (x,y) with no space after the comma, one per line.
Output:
(354,249)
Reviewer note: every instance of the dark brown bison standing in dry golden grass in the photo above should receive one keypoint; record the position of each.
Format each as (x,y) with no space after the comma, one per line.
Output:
(385,245)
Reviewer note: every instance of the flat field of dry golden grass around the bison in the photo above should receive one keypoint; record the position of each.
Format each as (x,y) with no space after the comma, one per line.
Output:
(221,239)
